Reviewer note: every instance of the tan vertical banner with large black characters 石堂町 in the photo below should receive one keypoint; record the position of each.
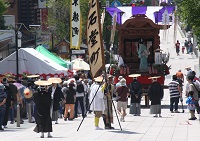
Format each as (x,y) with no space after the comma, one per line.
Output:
(94,39)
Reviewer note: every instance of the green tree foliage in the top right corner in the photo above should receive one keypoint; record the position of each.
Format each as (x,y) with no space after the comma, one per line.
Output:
(189,11)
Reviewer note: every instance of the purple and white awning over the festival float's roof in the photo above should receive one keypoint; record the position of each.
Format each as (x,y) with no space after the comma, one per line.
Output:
(152,12)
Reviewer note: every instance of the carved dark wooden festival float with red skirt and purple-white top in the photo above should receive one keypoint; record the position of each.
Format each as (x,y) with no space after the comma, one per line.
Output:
(137,32)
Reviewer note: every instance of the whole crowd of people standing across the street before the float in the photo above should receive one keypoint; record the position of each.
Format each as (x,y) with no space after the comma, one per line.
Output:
(68,98)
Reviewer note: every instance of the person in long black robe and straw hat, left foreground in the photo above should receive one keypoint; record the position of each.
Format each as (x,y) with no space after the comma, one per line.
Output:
(42,99)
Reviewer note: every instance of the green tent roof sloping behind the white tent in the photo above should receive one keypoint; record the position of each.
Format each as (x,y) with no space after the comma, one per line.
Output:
(51,56)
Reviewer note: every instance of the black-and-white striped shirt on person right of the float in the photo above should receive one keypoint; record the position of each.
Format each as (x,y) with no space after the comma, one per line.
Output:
(173,89)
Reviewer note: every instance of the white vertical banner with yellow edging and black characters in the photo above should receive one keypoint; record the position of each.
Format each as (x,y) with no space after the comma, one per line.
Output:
(75,25)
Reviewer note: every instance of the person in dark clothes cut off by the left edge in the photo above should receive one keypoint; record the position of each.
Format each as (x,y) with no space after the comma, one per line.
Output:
(3,98)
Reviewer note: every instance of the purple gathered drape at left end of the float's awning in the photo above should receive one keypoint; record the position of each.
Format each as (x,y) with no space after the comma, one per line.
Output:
(111,11)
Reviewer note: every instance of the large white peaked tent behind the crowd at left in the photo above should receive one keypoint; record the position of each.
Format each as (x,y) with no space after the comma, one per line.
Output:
(32,61)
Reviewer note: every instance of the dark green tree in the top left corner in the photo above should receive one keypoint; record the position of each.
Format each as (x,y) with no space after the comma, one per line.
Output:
(3,7)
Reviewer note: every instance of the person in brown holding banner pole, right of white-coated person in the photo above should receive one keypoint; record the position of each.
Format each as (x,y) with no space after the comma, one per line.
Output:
(108,112)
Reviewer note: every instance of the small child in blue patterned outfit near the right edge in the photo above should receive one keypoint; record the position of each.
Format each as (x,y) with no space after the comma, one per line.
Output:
(191,105)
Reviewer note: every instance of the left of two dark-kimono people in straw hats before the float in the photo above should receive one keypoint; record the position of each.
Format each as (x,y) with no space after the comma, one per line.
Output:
(136,94)
